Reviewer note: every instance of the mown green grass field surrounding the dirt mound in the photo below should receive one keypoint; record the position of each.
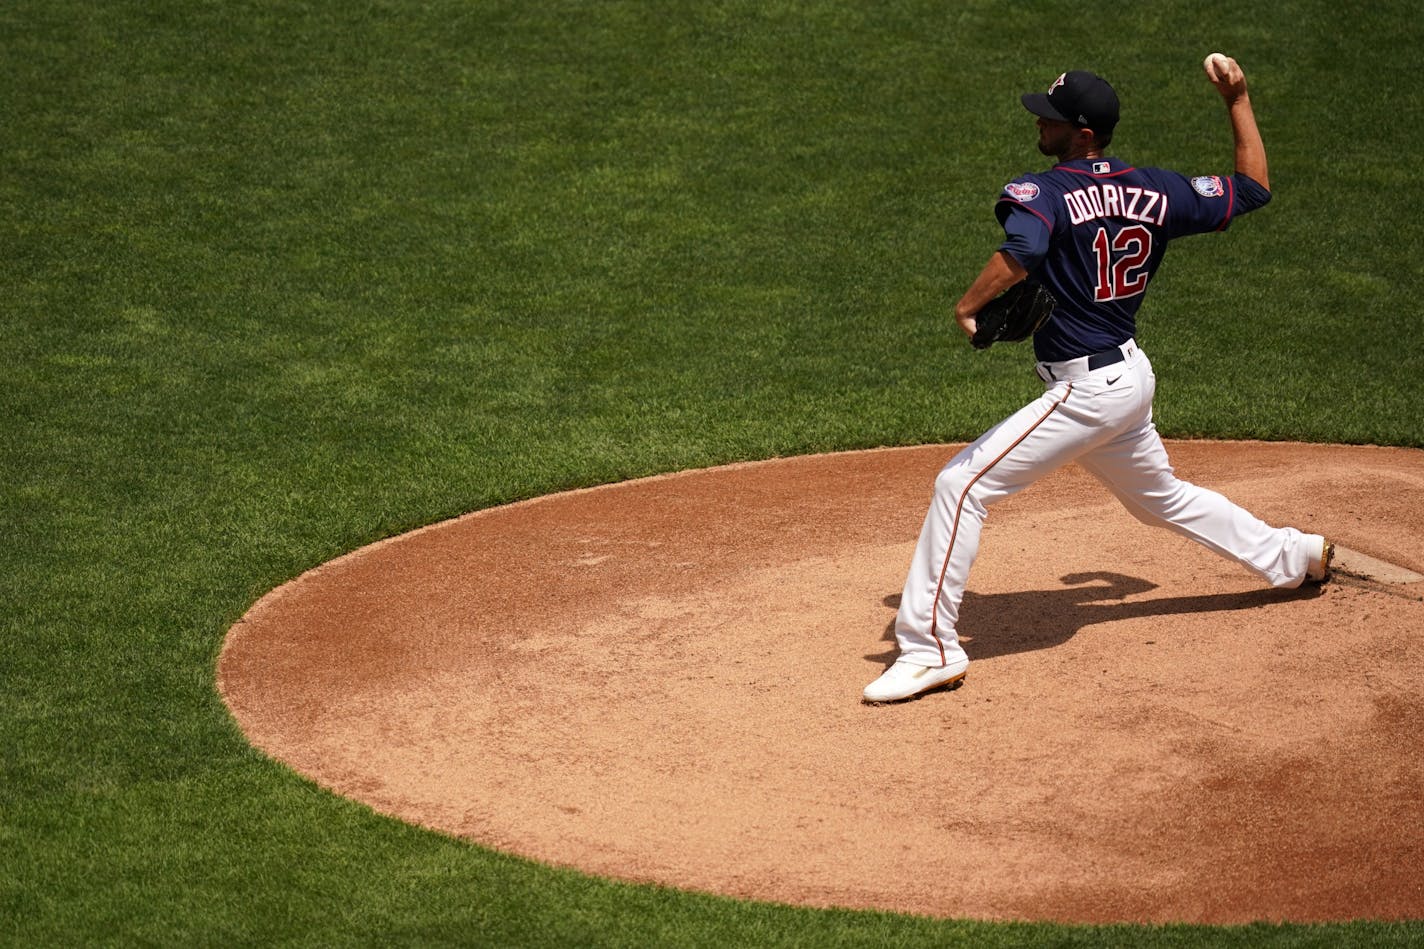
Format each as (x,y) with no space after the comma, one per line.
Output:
(284,279)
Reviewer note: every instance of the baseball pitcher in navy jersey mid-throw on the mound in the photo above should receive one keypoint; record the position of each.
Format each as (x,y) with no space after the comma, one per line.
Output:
(1082,246)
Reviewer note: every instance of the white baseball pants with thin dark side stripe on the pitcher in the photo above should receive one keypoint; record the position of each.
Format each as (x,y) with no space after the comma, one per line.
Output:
(1103,420)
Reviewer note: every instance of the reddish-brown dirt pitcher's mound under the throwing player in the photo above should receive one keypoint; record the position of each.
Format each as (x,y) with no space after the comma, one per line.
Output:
(661,682)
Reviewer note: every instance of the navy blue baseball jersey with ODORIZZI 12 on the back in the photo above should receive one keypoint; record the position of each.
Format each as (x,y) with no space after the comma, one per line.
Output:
(1096,230)
